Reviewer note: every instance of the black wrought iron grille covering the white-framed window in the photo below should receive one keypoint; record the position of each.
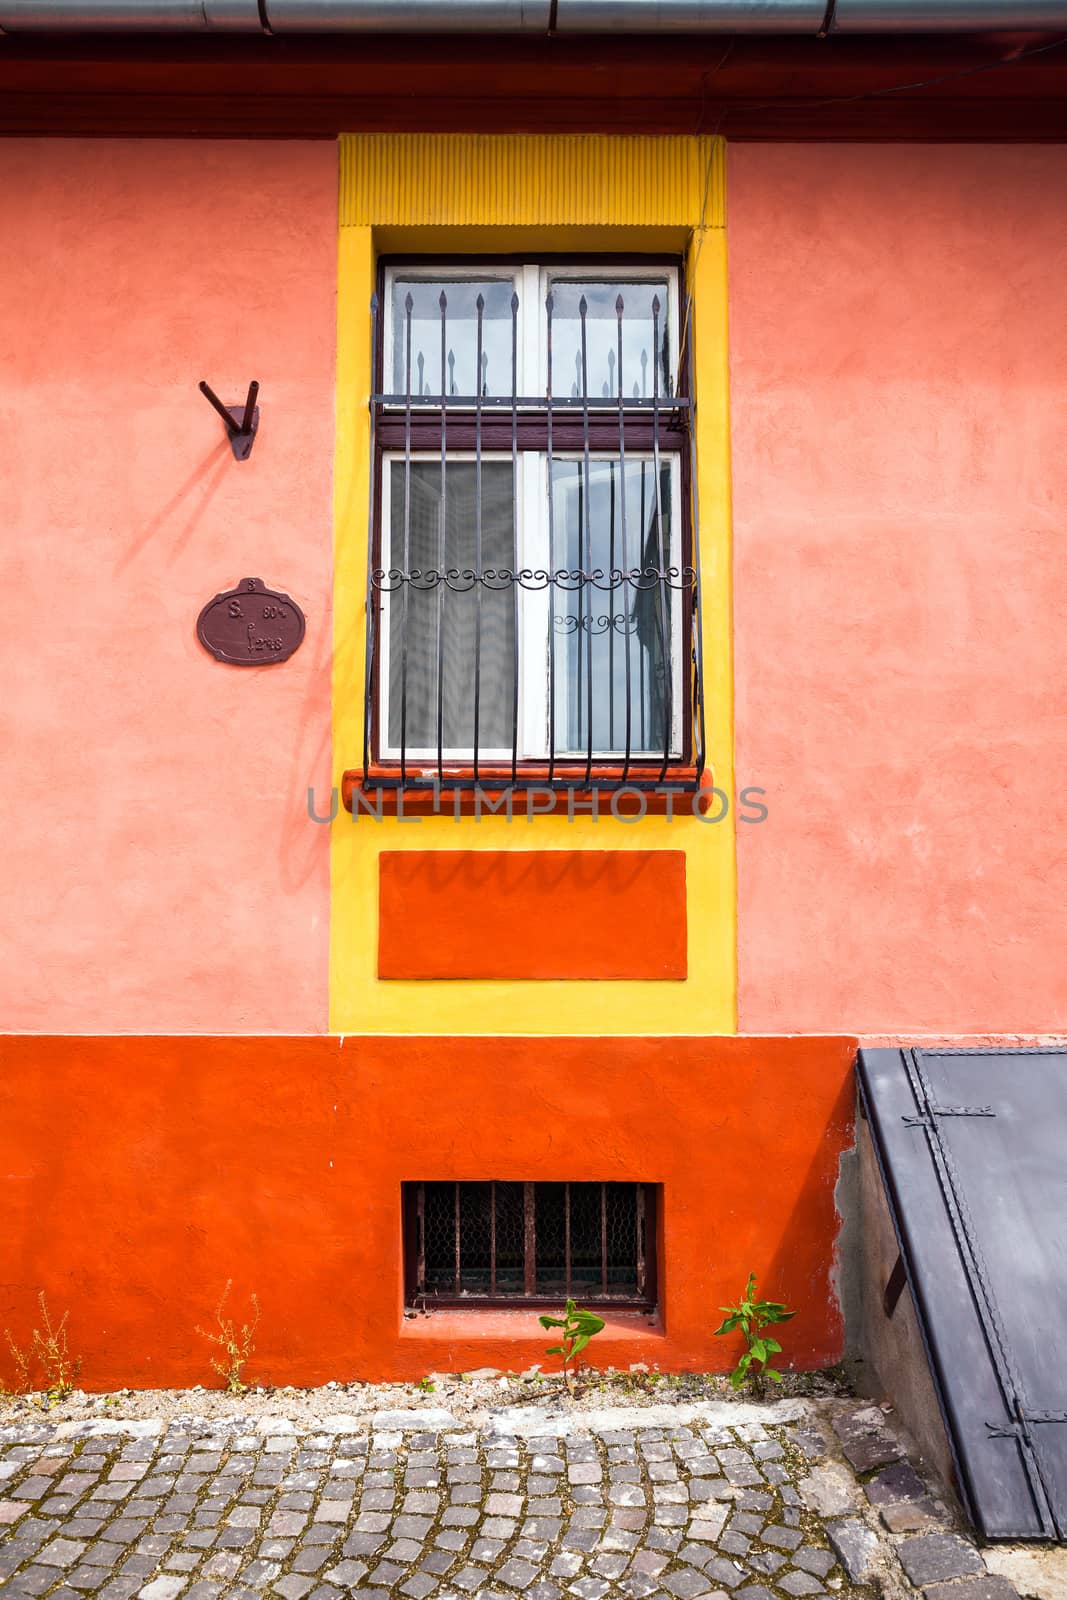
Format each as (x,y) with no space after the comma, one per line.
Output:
(575,671)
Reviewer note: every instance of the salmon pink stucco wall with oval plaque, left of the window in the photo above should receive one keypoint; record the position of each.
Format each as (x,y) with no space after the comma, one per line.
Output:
(159,871)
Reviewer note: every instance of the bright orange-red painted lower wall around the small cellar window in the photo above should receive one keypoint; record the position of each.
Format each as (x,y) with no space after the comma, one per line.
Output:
(138,1175)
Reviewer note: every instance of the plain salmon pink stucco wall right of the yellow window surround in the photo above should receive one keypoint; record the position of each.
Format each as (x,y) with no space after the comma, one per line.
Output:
(900,420)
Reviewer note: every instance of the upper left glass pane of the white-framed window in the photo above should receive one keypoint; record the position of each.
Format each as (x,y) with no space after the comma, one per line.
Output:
(462,337)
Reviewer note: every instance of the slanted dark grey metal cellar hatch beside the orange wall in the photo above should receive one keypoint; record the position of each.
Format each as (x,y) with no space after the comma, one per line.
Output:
(973,1154)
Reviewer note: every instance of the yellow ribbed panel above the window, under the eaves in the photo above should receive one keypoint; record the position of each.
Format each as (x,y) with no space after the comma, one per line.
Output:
(532,180)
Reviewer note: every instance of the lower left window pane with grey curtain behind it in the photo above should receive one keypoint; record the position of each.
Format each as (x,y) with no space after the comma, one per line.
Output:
(447,615)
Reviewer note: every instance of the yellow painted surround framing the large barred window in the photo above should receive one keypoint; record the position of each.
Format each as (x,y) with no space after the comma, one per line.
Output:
(500,194)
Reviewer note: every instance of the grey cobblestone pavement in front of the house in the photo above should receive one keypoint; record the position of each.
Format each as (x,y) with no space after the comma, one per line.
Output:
(703,1502)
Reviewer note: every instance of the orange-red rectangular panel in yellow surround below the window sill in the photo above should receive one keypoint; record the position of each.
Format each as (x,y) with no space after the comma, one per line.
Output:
(532,914)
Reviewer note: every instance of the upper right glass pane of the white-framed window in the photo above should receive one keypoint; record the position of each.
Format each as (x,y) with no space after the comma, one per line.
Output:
(641,335)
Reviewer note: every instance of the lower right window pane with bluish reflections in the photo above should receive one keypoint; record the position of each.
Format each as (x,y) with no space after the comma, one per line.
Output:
(602,634)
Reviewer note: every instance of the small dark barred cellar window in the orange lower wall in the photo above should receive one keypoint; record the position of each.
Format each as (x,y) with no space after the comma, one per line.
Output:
(500,1244)
